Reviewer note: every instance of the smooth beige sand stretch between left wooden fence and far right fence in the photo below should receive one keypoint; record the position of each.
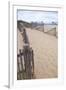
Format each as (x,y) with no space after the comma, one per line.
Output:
(45,53)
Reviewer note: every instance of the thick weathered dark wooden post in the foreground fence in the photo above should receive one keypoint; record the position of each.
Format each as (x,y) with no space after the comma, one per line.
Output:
(27,61)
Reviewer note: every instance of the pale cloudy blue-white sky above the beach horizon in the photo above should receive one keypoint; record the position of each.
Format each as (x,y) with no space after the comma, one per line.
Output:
(37,16)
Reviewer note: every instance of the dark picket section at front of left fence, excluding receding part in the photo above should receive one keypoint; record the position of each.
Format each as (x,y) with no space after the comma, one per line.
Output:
(25,64)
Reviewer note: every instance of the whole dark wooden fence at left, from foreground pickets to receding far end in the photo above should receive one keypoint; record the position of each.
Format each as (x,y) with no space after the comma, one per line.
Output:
(25,59)
